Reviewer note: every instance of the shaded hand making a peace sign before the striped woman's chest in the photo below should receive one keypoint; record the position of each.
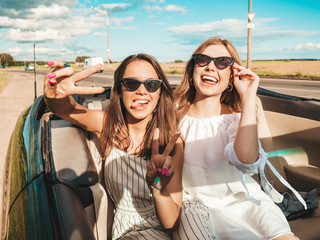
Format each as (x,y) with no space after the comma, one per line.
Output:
(160,172)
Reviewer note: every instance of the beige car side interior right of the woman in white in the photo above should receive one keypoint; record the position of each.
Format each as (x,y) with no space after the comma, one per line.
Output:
(289,131)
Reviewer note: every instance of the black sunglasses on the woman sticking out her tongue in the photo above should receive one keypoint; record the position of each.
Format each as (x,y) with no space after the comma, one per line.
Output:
(132,84)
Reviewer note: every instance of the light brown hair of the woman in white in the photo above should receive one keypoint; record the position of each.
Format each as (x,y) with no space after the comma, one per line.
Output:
(185,92)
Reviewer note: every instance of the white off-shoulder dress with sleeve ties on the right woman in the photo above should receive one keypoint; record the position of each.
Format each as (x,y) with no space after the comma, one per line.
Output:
(213,174)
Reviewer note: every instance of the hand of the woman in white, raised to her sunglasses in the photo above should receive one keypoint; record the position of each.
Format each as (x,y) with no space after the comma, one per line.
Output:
(245,80)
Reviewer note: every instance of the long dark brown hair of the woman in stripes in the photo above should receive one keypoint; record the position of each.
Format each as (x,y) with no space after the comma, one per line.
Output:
(115,131)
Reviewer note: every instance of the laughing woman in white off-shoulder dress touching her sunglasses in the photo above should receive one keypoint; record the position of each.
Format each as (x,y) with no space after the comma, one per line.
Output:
(217,109)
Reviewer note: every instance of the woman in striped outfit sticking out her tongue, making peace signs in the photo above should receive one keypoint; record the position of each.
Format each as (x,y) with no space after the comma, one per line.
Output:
(143,153)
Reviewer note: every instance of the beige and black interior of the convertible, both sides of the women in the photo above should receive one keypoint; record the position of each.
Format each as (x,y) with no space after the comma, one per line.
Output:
(289,131)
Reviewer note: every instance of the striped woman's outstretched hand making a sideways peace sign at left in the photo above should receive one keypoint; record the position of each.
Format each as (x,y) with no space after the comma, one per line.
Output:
(60,82)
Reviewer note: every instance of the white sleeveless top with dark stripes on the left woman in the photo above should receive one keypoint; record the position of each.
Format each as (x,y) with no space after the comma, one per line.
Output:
(135,215)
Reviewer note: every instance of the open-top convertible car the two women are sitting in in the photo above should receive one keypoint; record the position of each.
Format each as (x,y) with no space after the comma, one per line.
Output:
(50,167)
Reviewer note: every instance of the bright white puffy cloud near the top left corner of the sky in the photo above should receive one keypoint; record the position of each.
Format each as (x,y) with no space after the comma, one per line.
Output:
(53,11)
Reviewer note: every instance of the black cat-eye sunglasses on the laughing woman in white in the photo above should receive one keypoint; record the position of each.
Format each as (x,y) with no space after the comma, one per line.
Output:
(220,62)
